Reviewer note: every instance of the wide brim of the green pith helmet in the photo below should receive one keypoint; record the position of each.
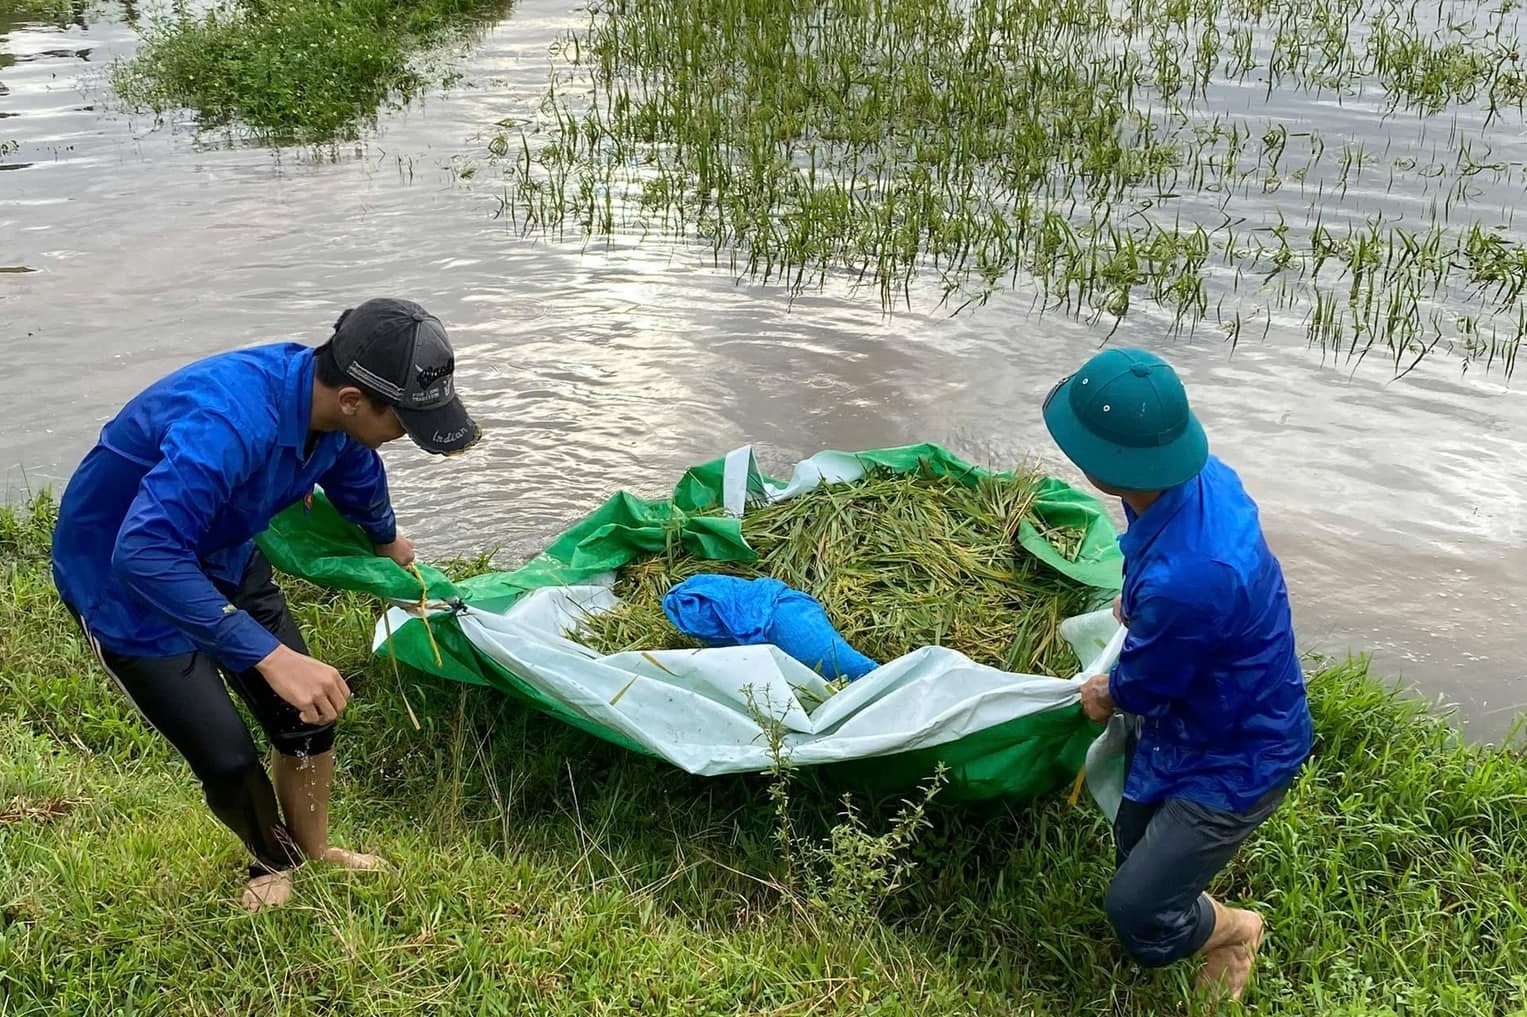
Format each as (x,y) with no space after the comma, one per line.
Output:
(1155,468)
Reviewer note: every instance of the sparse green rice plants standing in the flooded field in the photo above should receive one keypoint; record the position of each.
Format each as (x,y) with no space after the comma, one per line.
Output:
(1212,163)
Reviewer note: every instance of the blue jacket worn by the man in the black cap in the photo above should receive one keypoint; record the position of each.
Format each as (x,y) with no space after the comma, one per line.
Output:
(179,485)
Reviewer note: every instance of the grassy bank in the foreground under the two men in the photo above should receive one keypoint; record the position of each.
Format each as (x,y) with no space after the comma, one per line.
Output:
(544,873)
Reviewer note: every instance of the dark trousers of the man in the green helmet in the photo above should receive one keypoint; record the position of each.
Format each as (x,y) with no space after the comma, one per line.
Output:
(1167,856)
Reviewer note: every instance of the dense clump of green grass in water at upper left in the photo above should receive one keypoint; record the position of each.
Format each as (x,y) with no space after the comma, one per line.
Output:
(305,73)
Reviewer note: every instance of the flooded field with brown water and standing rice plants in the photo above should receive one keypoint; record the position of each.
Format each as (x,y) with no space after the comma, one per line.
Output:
(1293,205)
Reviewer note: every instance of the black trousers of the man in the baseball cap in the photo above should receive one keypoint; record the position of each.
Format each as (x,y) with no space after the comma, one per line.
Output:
(186,700)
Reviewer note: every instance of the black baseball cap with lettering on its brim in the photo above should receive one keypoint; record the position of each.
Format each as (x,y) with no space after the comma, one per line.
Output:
(401,352)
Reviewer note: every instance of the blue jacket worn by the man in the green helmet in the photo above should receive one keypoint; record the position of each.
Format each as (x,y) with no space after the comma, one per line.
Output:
(1210,663)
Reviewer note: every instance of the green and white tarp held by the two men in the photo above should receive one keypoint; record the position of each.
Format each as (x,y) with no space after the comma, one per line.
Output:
(711,711)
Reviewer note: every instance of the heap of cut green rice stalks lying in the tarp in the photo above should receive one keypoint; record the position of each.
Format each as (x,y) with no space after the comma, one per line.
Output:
(899,563)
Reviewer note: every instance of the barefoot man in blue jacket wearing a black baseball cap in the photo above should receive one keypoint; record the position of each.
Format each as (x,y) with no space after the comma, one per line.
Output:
(155,555)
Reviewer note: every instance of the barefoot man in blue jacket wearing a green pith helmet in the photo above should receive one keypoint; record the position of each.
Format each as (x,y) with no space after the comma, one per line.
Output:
(1209,676)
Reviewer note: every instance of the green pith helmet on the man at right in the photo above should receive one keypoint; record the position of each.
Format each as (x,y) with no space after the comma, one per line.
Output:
(1125,421)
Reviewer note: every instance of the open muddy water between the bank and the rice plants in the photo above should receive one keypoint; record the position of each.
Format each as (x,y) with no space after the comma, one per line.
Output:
(131,248)
